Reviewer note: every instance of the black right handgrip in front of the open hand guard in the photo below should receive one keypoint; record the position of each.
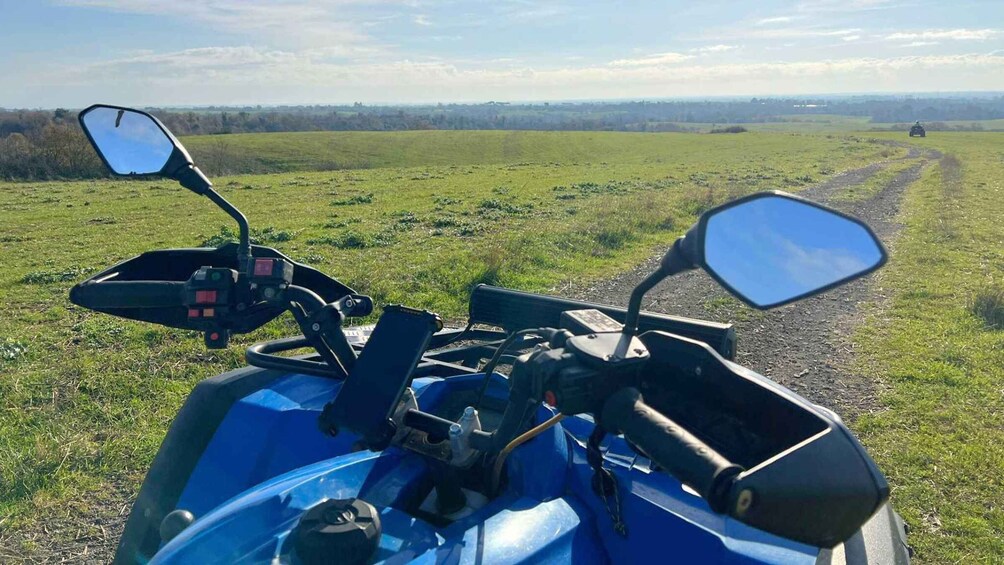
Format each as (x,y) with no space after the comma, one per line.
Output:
(677,451)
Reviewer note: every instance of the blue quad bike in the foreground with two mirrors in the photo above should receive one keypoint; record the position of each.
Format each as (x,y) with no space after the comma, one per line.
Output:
(619,436)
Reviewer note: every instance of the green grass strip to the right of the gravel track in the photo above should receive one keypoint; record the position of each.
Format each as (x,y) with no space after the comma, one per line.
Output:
(940,435)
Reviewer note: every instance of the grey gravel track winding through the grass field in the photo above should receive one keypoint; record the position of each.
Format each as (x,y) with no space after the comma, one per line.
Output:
(807,346)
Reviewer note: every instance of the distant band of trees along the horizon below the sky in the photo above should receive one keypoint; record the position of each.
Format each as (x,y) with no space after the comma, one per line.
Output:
(51,145)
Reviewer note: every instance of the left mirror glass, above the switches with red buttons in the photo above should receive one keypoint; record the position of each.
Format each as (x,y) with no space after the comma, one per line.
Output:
(132,143)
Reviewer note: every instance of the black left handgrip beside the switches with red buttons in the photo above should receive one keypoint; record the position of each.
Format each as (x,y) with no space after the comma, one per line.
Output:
(129,295)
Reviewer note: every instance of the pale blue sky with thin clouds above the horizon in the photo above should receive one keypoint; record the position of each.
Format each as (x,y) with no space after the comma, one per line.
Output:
(234,53)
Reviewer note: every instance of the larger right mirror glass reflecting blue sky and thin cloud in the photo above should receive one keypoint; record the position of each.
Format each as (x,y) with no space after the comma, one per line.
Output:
(775,249)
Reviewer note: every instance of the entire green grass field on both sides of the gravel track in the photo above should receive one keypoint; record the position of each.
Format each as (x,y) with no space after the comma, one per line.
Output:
(423,218)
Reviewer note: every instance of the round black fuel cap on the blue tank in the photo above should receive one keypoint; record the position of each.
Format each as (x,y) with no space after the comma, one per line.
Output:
(338,531)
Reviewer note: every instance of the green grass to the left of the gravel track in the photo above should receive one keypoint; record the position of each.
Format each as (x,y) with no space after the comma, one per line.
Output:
(87,398)
